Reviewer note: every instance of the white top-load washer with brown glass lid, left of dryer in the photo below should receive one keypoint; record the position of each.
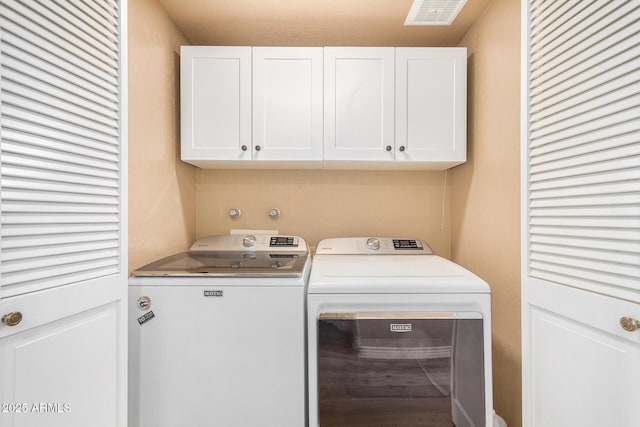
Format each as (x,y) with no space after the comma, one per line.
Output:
(217,335)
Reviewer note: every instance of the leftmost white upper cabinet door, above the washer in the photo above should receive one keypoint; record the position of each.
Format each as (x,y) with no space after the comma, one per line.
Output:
(215,103)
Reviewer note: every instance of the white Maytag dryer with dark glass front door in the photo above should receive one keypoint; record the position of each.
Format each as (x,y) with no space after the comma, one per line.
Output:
(397,337)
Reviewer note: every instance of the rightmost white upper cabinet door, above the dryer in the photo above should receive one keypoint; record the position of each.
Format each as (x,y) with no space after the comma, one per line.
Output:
(431,105)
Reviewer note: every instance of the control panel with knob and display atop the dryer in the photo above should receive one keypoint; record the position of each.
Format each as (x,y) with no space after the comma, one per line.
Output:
(373,246)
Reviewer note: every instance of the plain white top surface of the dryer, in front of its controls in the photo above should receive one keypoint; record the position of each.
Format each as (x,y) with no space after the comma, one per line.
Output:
(336,274)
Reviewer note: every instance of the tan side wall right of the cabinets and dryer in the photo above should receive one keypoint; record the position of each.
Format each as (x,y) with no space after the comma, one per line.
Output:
(485,201)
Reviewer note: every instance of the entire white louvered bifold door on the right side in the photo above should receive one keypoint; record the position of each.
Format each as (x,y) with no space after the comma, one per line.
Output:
(580,213)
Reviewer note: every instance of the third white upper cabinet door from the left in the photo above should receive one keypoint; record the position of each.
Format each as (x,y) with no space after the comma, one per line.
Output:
(358,104)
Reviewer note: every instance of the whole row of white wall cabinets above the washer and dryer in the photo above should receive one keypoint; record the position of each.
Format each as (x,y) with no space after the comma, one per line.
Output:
(332,107)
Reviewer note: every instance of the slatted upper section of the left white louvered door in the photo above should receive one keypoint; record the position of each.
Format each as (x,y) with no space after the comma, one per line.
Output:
(60,129)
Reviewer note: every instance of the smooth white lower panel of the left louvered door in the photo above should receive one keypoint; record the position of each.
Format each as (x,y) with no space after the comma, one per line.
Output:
(63,363)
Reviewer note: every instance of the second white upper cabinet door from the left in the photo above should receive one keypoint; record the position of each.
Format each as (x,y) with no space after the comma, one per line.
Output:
(287,103)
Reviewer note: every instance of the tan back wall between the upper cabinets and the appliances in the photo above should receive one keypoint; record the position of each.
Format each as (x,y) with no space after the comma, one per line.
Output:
(319,204)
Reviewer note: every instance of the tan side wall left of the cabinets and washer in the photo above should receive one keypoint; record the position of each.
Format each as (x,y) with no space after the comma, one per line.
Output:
(161,187)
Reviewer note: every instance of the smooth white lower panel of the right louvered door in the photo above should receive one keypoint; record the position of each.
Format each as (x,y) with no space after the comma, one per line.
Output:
(580,367)
